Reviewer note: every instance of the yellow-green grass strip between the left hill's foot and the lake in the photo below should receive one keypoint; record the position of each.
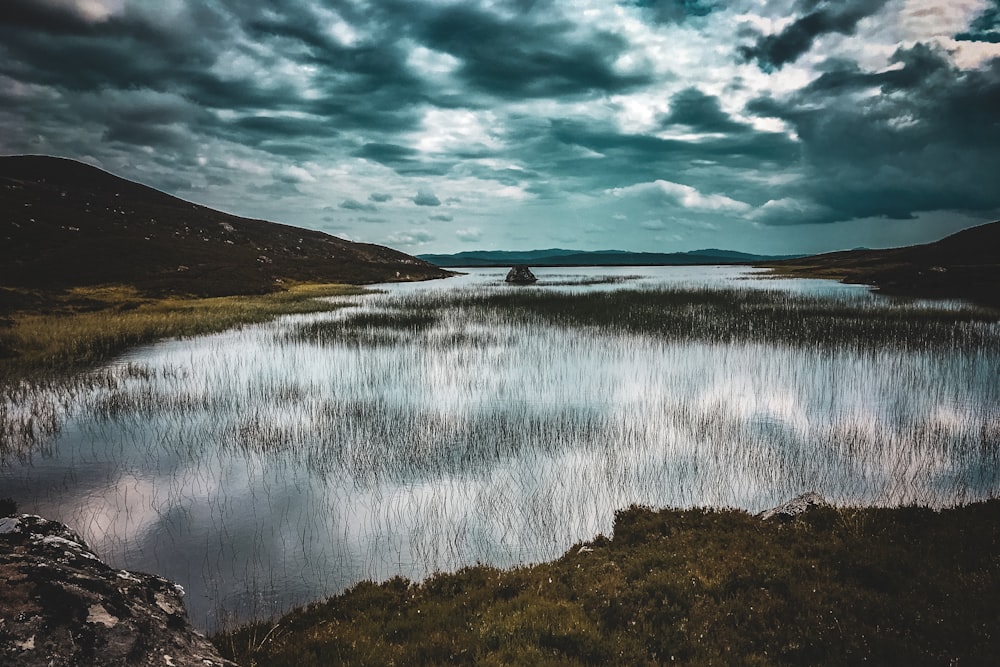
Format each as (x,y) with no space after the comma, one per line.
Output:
(67,332)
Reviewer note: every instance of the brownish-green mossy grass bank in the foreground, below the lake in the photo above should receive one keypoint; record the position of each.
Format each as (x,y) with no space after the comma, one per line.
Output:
(833,587)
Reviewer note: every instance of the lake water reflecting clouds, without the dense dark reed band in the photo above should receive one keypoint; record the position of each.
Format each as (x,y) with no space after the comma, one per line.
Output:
(262,468)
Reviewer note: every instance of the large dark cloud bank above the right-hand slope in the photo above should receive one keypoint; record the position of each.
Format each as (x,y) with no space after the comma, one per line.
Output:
(926,142)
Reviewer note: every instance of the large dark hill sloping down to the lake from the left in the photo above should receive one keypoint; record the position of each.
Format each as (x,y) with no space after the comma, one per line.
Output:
(65,224)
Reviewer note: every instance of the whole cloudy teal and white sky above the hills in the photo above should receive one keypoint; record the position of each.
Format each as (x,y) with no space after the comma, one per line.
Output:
(448,125)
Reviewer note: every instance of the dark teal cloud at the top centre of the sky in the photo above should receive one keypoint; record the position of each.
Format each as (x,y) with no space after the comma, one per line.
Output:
(526,55)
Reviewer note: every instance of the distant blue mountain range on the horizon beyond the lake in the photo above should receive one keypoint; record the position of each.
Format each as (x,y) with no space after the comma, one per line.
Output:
(562,257)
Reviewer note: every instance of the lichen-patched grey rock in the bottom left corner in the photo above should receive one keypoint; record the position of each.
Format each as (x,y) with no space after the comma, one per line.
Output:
(61,605)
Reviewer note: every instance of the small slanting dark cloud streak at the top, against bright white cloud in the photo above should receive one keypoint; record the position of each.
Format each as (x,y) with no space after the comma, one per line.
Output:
(825,16)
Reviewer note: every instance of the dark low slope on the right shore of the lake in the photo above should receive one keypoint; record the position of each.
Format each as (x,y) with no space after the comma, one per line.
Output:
(964,265)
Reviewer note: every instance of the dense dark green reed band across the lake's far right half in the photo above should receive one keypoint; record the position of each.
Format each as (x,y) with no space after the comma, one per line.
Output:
(749,315)
